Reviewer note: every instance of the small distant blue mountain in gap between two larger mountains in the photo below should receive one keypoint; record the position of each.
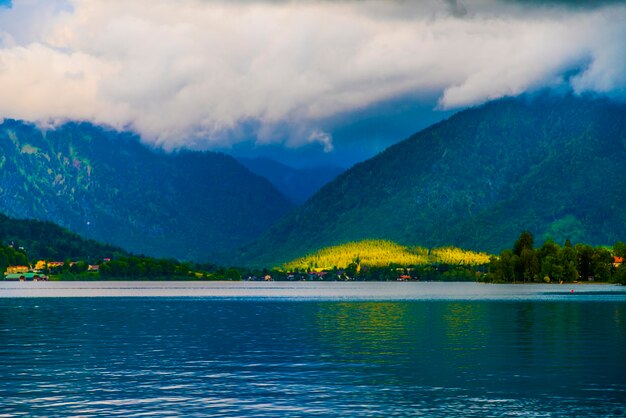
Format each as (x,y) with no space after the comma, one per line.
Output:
(298,184)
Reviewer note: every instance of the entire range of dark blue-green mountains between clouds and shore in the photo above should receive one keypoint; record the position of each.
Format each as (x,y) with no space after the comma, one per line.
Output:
(551,164)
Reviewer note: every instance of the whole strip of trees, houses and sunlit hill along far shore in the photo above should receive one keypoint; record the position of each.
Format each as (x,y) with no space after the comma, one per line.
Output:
(368,260)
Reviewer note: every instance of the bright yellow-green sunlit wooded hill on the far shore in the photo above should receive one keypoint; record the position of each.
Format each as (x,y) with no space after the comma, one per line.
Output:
(379,253)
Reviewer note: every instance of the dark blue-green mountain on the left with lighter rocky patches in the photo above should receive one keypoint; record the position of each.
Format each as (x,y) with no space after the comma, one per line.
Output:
(108,186)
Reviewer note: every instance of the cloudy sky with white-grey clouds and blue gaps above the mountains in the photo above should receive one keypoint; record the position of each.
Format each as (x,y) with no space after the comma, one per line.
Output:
(341,79)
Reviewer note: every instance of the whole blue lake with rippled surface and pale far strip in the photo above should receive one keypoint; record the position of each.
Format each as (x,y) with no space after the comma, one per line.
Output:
(311,349)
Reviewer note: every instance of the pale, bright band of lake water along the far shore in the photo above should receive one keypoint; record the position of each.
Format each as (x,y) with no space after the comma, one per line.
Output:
(344,291)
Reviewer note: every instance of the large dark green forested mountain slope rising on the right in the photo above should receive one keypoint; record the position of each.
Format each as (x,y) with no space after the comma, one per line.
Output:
(555,165)
